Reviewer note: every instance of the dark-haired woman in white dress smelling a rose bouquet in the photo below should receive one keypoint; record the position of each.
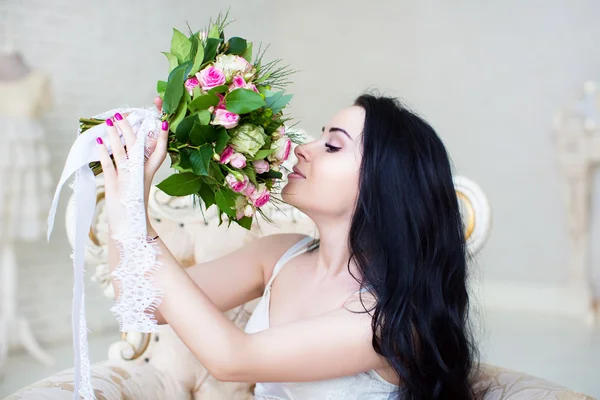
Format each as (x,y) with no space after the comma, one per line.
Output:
(375,309)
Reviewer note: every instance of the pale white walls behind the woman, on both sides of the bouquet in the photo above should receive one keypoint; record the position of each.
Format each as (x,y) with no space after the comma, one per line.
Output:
(488,75)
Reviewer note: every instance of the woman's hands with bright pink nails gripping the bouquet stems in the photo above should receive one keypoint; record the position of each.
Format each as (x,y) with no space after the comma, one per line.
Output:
(113,177)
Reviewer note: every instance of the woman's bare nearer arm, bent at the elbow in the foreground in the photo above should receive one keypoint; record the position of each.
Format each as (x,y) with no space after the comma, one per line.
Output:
(335,344)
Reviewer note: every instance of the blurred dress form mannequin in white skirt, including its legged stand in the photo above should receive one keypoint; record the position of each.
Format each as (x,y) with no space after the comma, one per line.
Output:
(25,188)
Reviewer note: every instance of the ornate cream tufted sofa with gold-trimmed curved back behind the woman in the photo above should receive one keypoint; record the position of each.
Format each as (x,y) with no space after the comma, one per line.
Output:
(158,366)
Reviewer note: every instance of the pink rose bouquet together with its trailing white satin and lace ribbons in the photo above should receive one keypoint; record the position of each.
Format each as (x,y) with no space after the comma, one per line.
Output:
(226,140)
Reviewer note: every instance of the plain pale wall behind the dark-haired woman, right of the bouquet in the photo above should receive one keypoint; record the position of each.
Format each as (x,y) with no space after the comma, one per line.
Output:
(487,74)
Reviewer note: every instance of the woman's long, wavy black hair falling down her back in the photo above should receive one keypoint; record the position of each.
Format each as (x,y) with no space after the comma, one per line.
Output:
(407,239)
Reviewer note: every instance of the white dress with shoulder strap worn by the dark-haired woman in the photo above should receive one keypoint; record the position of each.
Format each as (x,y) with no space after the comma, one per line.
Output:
(364,386)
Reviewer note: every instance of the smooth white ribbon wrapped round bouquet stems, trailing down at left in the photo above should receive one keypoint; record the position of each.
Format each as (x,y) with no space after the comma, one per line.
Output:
(83,152)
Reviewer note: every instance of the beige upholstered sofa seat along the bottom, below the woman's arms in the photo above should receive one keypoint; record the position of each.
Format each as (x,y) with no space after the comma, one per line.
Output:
(168,371)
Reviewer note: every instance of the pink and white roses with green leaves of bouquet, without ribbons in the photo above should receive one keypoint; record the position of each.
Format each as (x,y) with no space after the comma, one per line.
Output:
(227,137)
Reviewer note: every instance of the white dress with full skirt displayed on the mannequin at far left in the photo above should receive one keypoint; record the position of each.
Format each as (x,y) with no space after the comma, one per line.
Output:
(25,181)
